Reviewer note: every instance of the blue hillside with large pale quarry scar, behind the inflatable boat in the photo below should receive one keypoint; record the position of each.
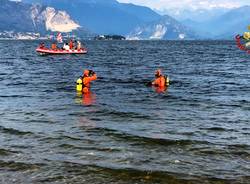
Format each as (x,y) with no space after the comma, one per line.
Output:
(21,17)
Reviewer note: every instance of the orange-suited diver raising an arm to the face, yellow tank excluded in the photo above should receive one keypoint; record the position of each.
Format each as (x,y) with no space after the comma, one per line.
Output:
(88,76)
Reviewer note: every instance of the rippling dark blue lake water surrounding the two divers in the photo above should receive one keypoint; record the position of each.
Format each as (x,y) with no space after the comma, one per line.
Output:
(198,131)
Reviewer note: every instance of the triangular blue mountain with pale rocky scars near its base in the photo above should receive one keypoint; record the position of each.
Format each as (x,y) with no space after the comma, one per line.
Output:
(165,28)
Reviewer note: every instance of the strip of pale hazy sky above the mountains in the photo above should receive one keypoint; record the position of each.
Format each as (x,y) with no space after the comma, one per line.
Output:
(208,4)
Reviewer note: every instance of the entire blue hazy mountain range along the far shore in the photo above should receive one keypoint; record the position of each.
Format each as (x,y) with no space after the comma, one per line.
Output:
(91,17)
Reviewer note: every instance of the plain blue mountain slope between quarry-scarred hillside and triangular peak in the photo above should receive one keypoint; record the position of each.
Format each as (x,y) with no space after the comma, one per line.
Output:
(103,17)
